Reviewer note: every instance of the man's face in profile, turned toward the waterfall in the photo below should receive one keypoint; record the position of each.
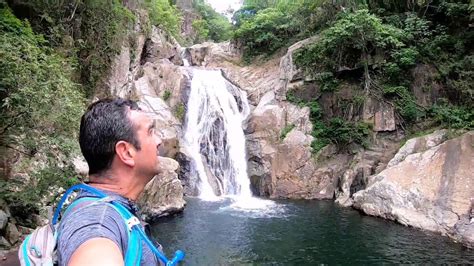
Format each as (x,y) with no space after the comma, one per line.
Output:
(146,159)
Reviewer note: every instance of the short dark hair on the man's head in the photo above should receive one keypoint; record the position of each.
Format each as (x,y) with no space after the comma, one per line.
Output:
(104,124)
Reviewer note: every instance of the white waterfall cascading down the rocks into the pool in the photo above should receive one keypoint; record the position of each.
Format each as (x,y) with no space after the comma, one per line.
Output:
(214,138)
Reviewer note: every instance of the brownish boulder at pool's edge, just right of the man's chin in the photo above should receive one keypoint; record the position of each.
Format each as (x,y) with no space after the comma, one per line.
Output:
(164,194)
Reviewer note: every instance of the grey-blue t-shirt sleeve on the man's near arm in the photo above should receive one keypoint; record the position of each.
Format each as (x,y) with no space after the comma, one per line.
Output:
(95,221)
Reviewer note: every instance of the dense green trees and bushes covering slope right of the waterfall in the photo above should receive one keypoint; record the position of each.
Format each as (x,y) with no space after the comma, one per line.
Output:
(376,43)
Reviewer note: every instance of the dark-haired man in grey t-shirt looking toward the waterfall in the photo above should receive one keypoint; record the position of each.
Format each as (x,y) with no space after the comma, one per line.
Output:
(119,143)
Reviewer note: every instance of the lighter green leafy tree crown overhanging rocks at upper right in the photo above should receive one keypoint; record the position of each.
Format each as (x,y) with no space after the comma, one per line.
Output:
(349,43)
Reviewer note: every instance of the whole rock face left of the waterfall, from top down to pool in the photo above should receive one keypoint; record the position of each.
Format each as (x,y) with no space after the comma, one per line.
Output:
(151,73)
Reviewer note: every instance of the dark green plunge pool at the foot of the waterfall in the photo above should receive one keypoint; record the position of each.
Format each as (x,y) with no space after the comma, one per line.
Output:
(298,232)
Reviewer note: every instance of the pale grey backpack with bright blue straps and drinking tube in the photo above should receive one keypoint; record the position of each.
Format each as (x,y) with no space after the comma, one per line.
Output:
(39,248)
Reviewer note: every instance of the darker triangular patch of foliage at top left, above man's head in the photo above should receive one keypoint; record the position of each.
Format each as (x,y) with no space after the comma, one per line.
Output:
(88,33)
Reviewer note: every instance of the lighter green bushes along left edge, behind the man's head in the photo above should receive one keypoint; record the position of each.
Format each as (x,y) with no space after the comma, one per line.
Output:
(41,108)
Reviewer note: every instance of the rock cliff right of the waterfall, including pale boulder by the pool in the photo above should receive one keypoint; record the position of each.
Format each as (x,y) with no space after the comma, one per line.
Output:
(425,184)
